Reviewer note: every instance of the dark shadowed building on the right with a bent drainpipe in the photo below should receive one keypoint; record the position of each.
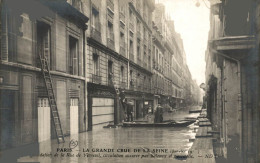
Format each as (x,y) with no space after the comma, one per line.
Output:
(231,78)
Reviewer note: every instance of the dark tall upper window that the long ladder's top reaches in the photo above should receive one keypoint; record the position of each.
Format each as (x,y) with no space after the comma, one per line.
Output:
(43,42)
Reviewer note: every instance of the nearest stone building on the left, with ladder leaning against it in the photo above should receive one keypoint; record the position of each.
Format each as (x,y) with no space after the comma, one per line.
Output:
(27,33)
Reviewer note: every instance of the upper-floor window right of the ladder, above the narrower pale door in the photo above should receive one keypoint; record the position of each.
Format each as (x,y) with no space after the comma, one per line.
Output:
(73,56)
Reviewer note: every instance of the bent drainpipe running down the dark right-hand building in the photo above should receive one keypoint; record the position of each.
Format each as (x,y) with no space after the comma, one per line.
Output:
(240,117)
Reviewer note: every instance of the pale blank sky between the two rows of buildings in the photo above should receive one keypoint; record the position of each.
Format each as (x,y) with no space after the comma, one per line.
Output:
(193,24)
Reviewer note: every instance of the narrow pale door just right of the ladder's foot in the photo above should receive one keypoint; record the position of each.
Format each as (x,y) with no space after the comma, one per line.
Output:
(74,118)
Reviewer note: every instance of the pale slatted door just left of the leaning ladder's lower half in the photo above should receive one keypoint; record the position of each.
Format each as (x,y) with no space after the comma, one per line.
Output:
(44,120)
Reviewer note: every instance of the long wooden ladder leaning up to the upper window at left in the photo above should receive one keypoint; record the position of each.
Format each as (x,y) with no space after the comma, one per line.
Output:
(52,100)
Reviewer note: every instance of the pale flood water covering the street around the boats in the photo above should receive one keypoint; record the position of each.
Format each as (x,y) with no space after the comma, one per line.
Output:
(122,144)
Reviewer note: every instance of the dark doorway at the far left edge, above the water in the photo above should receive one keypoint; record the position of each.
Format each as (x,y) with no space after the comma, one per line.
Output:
(6,118)
